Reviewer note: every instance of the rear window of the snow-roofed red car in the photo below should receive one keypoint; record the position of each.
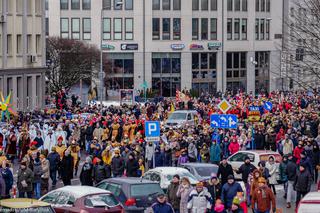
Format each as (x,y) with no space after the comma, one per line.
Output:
(101,200)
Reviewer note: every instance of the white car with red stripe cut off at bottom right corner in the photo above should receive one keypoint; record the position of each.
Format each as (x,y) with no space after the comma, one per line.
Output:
(309,203)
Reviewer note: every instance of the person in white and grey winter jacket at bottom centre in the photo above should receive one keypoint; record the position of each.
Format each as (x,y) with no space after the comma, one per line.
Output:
(199,199)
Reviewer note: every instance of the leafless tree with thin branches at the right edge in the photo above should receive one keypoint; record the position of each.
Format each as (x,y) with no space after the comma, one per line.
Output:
(301,43)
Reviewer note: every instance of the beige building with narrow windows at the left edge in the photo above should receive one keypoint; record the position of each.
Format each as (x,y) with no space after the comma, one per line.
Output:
(22,52)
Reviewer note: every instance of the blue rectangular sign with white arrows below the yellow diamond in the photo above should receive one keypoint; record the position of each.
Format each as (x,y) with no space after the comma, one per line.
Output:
(223,121)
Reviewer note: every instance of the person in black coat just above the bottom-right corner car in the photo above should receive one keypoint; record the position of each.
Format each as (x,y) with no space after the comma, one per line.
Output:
(303,181)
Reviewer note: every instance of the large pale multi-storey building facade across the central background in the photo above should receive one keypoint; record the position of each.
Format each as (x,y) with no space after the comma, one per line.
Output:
(230,64)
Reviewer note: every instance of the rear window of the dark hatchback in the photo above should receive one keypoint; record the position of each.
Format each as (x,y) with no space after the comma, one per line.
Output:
(138,190)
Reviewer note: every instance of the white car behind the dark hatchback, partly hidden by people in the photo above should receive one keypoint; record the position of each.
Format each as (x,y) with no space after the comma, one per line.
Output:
(164,175)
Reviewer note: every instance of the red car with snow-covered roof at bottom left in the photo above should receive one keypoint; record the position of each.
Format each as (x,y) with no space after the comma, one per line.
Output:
(84,199)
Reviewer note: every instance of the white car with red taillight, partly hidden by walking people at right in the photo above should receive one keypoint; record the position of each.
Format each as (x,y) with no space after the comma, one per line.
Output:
(237,159)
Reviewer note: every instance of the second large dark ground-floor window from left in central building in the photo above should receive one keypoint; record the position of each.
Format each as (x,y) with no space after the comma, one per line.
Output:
(166,73)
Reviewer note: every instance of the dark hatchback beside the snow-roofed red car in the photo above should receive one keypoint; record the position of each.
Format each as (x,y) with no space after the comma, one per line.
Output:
(135,194)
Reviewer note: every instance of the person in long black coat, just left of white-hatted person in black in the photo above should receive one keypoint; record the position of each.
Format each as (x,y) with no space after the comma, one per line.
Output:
(66,168)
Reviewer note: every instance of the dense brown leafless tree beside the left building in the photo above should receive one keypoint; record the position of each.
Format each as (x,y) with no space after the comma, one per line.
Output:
(69,62)
